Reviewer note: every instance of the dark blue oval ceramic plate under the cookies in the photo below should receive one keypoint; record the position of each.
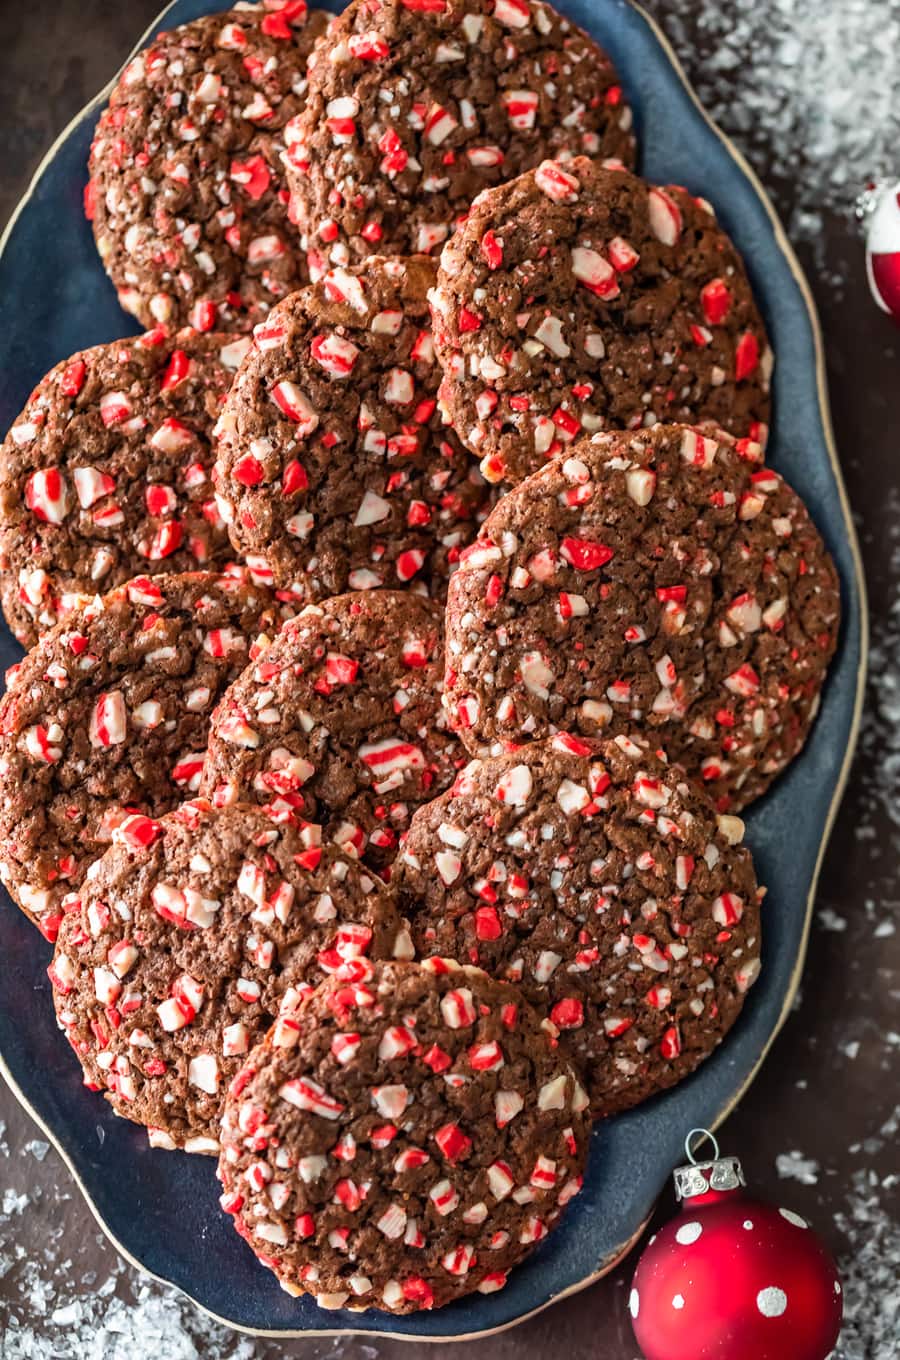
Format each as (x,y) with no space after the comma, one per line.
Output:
(160,1207)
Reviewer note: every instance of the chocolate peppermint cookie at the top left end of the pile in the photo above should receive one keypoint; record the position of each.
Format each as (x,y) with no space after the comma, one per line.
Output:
(187,190)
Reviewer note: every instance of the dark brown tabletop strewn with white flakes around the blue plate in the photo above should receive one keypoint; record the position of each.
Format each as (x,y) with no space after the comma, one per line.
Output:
(812,93)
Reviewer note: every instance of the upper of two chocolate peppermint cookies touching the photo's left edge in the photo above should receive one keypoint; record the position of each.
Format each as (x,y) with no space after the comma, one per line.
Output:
(107,474)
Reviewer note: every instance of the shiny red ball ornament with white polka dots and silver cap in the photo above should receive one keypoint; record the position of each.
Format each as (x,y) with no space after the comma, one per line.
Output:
(733,1279)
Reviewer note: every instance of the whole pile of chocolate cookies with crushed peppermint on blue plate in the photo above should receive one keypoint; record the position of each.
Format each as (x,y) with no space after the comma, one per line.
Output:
(411,614)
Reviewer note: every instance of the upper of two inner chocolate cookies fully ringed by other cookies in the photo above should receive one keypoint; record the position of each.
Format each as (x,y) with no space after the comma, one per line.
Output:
(335,471)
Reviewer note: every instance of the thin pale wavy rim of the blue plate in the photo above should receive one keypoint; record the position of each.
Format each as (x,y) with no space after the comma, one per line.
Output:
(788,252)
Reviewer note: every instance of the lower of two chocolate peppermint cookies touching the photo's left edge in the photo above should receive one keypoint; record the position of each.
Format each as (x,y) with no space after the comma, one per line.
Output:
(108,715)
